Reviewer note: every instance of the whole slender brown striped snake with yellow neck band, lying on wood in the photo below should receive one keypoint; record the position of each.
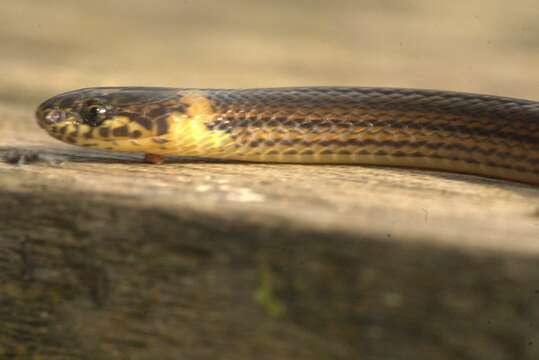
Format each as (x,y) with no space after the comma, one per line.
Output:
(484,135)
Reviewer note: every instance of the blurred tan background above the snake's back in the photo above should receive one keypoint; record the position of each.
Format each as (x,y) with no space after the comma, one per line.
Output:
(474,45)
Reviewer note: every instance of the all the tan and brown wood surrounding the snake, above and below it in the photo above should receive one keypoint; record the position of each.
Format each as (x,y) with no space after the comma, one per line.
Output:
(103,256)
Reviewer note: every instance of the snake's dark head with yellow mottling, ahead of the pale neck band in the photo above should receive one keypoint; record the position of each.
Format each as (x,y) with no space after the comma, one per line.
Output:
(113,118)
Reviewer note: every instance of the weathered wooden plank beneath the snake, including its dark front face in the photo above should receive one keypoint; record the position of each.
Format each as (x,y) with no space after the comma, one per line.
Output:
(104,254)
